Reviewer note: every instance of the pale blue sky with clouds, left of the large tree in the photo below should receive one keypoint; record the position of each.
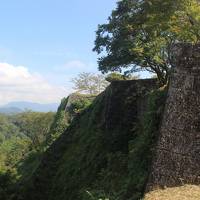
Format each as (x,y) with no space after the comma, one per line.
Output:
(50,40)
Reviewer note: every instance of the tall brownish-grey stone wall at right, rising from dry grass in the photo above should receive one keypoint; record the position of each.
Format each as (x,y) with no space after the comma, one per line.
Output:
(177,158)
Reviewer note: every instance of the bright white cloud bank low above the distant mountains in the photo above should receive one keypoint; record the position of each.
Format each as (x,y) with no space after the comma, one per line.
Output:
(17,83)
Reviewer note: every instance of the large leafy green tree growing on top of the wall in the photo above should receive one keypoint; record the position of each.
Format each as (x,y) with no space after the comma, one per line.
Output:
(139,35)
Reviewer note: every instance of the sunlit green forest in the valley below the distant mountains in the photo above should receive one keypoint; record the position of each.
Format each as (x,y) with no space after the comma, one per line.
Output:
(22,141)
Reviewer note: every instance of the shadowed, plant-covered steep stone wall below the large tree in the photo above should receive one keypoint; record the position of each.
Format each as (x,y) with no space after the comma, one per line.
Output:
(96,156)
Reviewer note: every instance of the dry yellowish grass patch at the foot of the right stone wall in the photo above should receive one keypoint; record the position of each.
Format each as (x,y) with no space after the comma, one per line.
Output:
(187,192)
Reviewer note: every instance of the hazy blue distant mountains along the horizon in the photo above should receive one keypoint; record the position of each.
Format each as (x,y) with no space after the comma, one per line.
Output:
(21,106)
